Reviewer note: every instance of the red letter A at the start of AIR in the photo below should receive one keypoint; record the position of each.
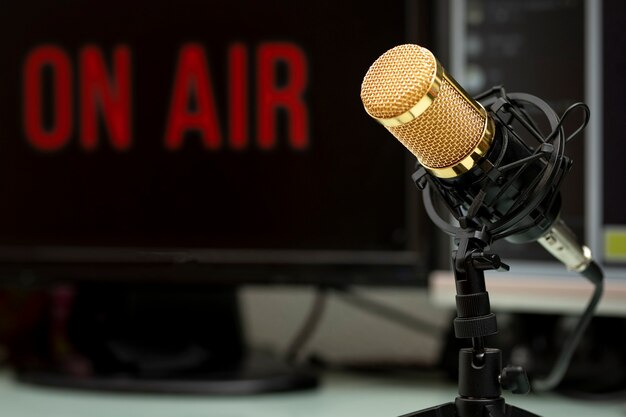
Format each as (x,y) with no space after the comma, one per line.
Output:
(192,80)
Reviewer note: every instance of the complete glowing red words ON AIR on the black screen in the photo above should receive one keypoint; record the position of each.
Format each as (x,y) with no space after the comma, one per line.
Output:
(104,94)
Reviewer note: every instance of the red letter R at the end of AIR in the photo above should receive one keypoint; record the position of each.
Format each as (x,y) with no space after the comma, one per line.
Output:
(271,97)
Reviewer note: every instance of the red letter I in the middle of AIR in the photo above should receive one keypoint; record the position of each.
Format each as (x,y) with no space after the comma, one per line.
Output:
(238,96)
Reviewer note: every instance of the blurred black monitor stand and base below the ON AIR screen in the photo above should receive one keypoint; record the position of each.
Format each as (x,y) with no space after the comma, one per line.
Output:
(153,338)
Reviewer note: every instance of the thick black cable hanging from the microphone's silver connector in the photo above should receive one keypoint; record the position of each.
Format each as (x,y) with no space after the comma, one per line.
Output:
(554,378)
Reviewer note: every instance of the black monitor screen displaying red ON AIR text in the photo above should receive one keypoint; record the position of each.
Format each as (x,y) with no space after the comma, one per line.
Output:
(200,125)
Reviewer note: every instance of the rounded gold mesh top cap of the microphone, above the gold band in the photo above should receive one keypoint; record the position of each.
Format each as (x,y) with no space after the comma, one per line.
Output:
(398,80)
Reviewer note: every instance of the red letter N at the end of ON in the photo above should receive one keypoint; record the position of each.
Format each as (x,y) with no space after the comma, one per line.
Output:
(111,95)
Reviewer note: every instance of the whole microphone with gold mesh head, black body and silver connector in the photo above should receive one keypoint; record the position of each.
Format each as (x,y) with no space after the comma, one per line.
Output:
(463,151)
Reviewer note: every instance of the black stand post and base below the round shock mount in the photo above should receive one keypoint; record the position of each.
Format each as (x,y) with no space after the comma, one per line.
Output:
(481,376)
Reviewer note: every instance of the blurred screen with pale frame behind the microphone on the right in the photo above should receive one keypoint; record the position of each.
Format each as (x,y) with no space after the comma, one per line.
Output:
(562,52)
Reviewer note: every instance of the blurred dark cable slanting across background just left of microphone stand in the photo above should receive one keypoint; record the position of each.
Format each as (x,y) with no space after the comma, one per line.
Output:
(389,313)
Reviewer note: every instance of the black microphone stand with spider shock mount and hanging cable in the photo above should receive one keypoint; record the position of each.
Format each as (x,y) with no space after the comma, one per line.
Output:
(481,376)
